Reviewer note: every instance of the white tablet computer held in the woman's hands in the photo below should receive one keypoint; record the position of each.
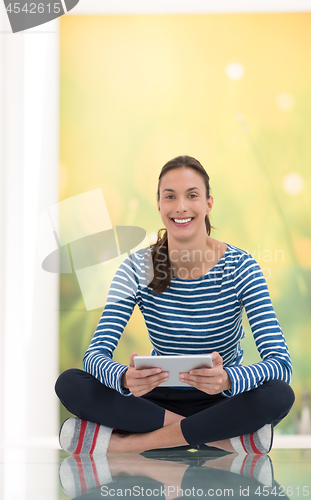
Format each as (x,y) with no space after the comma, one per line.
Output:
(174,365)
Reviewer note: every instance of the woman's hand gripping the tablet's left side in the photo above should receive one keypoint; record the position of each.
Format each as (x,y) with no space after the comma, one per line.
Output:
(140,382)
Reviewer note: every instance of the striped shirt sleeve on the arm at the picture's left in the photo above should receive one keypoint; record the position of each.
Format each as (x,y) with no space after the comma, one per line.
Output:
(118,309)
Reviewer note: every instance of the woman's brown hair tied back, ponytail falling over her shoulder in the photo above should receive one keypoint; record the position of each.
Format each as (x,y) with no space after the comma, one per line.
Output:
(162,270)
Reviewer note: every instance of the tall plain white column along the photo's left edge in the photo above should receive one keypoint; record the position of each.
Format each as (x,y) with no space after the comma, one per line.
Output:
(28,185)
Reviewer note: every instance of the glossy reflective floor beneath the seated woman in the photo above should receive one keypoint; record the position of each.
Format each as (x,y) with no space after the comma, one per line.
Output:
(50,474)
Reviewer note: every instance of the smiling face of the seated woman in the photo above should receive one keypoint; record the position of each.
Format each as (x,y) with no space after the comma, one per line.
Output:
(183,204)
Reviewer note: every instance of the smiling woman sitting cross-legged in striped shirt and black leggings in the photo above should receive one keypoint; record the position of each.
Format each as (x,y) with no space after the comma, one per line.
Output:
(191,292)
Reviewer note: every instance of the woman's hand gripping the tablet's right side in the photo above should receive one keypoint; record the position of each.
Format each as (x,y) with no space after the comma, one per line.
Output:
(210,380)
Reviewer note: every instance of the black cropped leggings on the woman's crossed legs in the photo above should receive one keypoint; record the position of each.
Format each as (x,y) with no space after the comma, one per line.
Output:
(208,418)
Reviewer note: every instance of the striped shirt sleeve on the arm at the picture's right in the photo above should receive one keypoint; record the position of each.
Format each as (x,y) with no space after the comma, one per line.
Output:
(252,292)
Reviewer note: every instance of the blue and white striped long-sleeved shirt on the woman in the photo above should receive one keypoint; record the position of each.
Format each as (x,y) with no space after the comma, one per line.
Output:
(196,316)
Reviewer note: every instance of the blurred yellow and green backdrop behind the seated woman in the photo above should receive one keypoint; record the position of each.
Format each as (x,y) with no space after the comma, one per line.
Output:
(234,91)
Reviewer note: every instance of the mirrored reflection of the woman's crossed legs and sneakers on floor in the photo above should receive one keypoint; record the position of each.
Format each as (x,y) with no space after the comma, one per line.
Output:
(170,474)
